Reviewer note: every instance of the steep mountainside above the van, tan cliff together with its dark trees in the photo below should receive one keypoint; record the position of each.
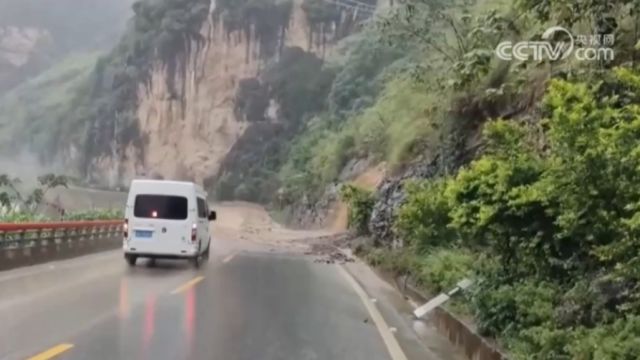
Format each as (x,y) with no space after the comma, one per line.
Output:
(170,107)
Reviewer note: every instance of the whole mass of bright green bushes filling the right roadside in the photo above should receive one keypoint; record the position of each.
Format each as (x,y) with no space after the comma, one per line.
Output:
(555,229)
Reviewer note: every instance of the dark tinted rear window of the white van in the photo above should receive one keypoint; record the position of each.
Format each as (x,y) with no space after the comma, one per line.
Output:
(160,207)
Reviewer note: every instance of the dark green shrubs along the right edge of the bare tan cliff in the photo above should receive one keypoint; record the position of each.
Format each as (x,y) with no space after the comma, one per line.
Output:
(299,83)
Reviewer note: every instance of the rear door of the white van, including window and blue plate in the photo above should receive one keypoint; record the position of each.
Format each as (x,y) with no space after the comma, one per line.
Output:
(160,224)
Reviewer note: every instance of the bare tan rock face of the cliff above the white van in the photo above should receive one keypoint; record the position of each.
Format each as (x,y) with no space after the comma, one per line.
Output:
(187,125)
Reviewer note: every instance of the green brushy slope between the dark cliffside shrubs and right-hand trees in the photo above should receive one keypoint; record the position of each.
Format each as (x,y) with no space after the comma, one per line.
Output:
(347,126)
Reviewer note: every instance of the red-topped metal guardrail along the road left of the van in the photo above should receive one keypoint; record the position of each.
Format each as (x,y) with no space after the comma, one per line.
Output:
(33,235)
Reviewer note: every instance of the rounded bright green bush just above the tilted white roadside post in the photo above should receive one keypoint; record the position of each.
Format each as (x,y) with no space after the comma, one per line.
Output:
(497,203)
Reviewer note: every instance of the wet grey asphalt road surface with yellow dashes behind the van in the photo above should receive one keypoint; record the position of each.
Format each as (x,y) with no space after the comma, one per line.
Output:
(253,306)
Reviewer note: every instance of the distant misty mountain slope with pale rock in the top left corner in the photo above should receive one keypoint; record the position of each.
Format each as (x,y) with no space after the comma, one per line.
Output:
(35,35)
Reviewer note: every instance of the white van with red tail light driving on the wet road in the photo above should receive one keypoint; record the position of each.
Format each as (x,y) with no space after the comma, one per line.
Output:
(166,220)
